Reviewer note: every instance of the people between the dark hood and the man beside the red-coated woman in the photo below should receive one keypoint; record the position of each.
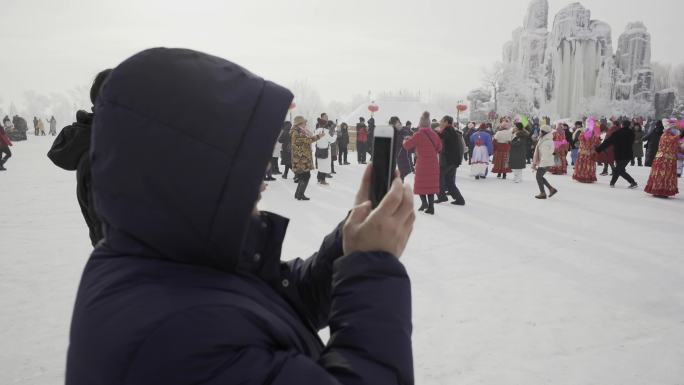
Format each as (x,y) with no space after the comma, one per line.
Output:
(433,151)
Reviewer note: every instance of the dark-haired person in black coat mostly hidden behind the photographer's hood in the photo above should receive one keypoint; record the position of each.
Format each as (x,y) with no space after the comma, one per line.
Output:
(71,151)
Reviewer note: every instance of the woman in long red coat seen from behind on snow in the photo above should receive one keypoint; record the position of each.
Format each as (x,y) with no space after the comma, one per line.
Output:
(427,145)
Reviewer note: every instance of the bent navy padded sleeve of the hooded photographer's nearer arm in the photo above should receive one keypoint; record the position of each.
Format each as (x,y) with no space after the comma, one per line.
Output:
(370,343)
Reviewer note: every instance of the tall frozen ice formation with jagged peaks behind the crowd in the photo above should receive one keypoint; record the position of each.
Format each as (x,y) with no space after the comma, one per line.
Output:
(575,61)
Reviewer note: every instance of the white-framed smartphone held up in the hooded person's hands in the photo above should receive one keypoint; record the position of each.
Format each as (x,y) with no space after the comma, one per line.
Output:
(384,163)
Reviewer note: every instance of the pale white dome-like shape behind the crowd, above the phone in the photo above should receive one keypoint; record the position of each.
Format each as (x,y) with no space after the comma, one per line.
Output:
(406,108)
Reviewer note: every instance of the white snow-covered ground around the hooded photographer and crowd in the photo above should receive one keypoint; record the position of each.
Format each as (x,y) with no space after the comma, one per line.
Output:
(584,288)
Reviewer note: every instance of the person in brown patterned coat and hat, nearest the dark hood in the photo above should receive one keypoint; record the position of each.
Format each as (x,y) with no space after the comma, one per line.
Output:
(302,158)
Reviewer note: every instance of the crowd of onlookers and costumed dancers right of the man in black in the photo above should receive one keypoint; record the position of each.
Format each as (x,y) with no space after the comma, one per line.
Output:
(612,143)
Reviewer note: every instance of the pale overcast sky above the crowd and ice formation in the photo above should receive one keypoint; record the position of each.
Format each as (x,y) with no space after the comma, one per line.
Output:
(341,47)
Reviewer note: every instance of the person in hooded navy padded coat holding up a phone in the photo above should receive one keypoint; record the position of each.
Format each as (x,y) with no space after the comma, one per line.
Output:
(187,286)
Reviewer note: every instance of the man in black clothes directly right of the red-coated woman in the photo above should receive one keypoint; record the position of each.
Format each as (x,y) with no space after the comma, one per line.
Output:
(450,159)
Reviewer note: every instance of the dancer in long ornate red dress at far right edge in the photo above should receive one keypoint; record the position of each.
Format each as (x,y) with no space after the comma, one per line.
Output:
(662,182)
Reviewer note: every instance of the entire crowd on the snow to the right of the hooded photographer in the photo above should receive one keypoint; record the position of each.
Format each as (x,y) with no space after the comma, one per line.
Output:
(434,150)
